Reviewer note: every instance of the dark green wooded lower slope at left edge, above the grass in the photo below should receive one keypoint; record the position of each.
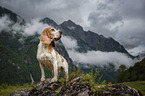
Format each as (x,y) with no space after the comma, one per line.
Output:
(17,70)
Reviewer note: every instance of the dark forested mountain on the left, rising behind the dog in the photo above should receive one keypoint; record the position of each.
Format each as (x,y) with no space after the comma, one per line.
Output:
(18,53)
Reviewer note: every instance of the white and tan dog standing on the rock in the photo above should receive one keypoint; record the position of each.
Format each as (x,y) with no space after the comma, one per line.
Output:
(48,57)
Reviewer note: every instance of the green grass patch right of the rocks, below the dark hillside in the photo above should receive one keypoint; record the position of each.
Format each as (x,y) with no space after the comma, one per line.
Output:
(138,85)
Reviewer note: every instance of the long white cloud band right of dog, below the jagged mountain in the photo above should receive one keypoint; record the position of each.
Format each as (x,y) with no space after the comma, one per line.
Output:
(98,58)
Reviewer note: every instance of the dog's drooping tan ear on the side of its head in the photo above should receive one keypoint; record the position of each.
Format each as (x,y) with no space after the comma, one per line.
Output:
(44,37)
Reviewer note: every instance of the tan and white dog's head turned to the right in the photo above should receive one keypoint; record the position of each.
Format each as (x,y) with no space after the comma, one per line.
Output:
(49,35)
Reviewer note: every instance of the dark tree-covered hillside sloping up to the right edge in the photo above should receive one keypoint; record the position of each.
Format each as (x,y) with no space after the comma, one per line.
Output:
(134,73)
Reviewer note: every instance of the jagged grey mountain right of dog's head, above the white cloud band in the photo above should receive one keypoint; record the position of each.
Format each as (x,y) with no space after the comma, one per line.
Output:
(88,40)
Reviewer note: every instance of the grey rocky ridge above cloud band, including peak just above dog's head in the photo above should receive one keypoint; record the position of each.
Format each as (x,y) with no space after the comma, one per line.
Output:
(69,28)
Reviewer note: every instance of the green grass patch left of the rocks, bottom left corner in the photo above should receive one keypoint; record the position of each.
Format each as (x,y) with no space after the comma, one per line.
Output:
(5,89)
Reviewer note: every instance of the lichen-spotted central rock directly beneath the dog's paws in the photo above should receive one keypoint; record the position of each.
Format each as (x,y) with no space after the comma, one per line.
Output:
(74,87)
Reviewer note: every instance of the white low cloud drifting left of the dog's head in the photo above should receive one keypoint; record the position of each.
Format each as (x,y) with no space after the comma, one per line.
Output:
(27,29)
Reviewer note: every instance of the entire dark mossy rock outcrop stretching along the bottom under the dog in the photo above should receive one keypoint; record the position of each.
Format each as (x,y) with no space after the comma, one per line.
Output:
(75,87)
